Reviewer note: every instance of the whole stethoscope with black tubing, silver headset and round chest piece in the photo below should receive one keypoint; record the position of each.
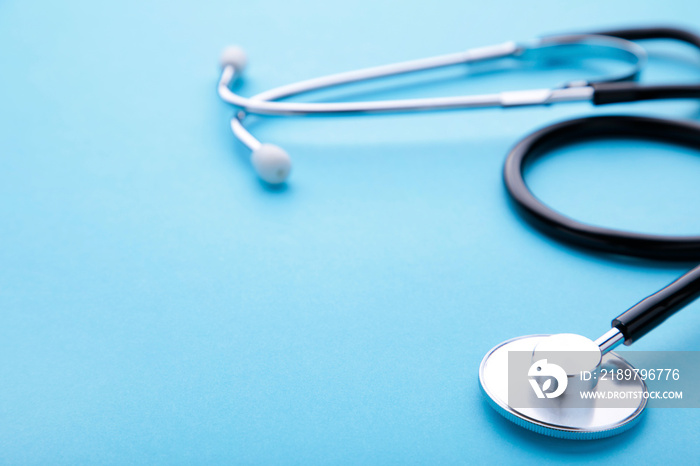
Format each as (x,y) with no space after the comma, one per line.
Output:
(566,418)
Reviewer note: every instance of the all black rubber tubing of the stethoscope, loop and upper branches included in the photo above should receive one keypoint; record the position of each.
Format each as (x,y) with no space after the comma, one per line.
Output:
(651,311)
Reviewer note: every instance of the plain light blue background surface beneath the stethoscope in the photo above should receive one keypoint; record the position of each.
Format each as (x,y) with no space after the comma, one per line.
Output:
(158,304)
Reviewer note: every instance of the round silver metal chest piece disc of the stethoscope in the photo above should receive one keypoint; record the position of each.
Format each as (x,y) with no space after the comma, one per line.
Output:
(568,416)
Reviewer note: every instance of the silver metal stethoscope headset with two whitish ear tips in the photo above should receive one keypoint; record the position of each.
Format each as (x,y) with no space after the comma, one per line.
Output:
(273,164)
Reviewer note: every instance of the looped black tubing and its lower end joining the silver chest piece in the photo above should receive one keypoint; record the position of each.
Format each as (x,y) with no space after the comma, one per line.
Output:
(648,313)
